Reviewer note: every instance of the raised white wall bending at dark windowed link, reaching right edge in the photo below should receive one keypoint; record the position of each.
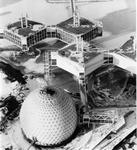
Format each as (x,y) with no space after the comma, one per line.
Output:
(119,60)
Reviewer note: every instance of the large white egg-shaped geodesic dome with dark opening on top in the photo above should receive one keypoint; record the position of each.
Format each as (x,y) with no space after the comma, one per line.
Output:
(48,114)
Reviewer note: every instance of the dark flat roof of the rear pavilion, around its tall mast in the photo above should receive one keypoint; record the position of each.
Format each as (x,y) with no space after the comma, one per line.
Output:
(85,26)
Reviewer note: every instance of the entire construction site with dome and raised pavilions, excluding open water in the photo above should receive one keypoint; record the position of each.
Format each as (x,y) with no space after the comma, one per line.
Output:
(60,90)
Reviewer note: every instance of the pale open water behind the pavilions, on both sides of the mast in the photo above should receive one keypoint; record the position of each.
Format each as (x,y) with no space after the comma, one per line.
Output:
(47,13)
